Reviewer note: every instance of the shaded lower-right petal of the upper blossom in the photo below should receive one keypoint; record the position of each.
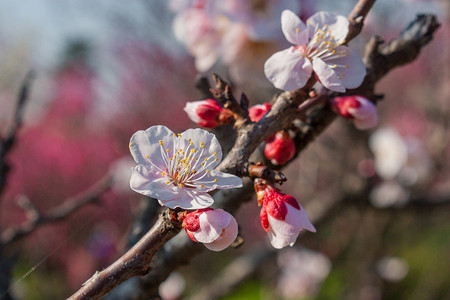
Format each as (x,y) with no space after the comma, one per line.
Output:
(353,76)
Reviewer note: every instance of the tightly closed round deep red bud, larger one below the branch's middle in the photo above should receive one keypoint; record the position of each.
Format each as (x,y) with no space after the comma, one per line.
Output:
(280,148)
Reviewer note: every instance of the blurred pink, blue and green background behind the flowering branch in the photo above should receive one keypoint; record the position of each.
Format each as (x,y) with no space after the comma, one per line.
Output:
(105,69)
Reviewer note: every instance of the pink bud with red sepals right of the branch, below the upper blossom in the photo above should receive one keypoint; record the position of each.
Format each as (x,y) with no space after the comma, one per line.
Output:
(361,110)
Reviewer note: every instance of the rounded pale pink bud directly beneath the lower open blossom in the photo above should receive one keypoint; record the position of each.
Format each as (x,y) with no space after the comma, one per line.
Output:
(215,228)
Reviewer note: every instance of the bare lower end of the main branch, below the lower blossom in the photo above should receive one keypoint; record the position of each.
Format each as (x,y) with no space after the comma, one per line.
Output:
(135,262)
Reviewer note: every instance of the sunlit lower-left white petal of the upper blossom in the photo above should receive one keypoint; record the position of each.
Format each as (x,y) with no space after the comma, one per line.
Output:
(288,69)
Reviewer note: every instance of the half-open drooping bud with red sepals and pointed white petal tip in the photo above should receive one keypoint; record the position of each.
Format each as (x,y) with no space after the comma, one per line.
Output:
(283,218)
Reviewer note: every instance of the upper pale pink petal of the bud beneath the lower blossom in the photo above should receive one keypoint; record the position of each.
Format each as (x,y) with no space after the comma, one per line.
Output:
(211,224)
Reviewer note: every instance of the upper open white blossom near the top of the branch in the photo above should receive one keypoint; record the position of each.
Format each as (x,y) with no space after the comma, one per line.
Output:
(318,47)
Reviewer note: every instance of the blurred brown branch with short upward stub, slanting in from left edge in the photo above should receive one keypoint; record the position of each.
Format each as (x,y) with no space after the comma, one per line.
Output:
(61,212)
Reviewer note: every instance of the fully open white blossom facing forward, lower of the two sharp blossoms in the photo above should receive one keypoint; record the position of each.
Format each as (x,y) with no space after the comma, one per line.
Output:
(178,169)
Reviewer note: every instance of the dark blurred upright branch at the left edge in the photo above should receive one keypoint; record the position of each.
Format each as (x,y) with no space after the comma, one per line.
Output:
(8,141)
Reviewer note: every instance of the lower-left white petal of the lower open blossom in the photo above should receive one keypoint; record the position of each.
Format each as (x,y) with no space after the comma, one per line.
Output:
(148,181)
